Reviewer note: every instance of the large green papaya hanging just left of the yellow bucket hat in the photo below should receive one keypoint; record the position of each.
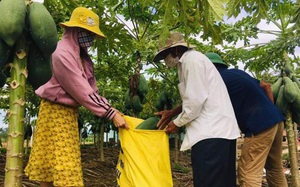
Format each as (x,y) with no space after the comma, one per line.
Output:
(42,28)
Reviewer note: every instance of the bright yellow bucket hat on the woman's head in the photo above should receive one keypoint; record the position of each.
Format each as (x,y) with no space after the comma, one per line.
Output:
(86,19)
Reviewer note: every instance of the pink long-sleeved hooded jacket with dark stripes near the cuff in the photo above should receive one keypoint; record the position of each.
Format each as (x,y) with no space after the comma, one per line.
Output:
(73,82)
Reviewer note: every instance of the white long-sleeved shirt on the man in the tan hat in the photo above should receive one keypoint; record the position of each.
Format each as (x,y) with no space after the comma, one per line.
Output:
(207,111)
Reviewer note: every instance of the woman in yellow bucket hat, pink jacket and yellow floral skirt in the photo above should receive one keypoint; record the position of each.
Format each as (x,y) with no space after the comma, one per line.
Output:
(55,155)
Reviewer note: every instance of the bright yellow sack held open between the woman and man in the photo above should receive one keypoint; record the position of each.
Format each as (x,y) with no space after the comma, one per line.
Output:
(144,159)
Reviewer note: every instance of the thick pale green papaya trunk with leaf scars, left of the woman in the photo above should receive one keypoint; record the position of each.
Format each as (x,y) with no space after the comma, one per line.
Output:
(15,139)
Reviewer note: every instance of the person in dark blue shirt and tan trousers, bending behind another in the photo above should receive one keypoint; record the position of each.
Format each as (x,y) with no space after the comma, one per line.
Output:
(260,121)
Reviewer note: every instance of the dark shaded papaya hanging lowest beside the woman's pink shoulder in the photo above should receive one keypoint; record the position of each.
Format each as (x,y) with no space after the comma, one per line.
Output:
(39,67)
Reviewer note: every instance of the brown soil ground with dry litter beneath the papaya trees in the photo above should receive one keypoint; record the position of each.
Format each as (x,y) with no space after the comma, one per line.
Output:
(103,173)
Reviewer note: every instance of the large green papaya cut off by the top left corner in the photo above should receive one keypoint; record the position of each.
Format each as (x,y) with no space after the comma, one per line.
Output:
(12,20)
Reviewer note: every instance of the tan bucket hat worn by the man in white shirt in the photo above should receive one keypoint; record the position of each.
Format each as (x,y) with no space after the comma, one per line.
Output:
(175,39)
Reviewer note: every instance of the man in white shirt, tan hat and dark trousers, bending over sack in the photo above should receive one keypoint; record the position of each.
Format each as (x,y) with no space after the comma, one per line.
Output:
(206,112)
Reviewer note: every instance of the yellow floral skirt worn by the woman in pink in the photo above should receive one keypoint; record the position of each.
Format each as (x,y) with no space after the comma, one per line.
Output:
(55,154)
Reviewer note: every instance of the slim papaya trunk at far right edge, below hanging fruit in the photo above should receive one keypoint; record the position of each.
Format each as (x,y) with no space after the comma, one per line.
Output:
(292,145)
